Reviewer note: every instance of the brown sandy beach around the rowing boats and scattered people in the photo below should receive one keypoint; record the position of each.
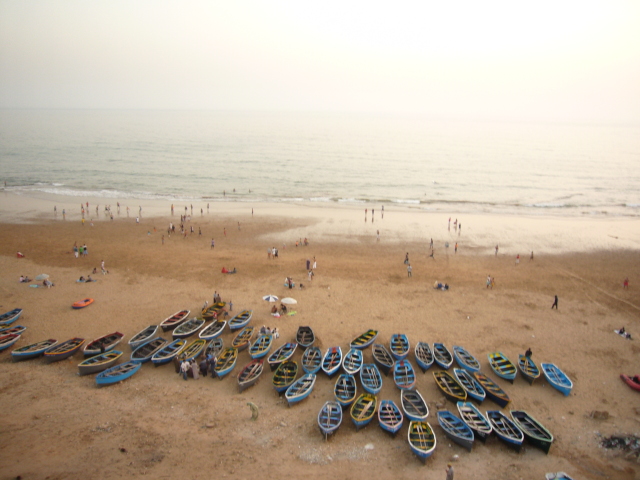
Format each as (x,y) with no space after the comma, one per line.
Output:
(157,425)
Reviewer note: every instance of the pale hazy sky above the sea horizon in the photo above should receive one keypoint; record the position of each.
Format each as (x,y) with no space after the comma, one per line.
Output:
(552,60)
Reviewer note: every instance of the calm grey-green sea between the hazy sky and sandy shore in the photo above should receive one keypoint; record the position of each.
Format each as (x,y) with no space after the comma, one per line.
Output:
(435,165)
